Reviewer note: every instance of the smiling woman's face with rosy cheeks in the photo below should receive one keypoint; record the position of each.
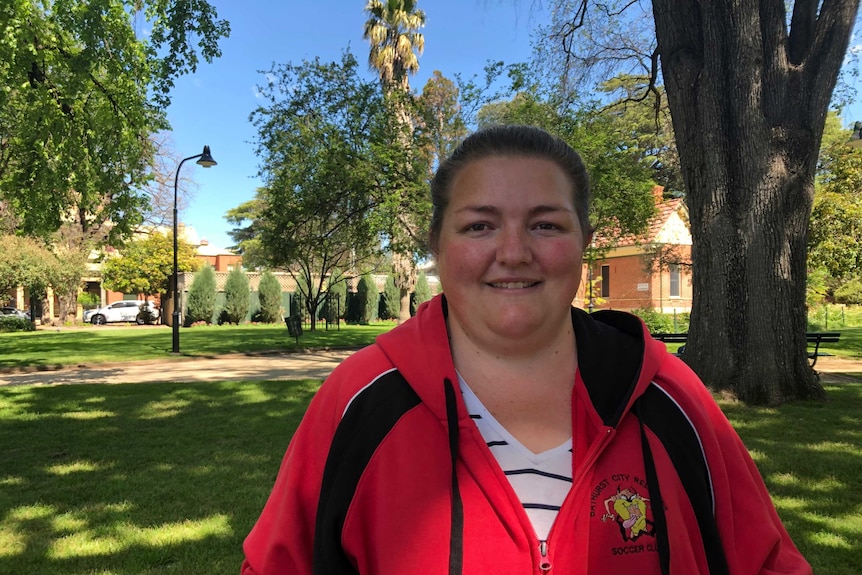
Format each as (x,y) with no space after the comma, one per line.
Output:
(509,249)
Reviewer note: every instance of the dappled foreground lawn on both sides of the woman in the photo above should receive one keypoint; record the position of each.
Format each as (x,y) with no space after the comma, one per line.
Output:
(169,478)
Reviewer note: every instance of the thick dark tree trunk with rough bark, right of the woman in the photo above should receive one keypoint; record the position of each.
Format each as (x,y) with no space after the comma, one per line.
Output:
(748,104)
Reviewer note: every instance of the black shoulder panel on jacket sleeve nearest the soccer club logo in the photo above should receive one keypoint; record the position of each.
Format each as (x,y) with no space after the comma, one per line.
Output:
(668,422)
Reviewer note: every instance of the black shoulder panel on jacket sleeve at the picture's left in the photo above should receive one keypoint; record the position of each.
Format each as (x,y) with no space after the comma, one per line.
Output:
(369,418)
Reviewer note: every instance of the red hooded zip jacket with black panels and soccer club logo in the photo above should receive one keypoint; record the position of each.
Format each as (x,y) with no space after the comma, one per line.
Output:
(387,473)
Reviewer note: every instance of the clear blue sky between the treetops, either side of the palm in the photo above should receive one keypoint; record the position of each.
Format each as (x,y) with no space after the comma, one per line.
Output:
(211,107)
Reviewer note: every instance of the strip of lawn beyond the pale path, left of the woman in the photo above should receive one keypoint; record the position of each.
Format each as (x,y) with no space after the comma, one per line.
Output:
(51,347)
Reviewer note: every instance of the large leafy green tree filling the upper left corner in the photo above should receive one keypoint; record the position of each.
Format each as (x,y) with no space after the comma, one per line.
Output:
(83,94)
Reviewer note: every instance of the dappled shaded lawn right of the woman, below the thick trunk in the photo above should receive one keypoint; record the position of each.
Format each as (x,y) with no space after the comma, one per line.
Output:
(810,454)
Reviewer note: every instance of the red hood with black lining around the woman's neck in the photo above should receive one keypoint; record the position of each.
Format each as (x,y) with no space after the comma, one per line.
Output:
(616,357)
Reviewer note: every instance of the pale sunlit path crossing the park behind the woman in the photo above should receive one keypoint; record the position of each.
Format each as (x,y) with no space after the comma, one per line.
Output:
(314,365)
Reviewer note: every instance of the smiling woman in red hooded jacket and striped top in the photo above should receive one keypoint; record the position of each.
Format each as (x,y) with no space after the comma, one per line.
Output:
(502,431)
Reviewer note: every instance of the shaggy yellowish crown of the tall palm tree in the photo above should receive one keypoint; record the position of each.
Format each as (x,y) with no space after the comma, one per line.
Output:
(392,30)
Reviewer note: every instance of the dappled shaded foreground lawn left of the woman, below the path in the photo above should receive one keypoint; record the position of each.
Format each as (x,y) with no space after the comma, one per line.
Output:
(143,478)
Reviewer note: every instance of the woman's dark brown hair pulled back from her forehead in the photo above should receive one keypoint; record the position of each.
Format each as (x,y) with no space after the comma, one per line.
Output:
(515,141)
